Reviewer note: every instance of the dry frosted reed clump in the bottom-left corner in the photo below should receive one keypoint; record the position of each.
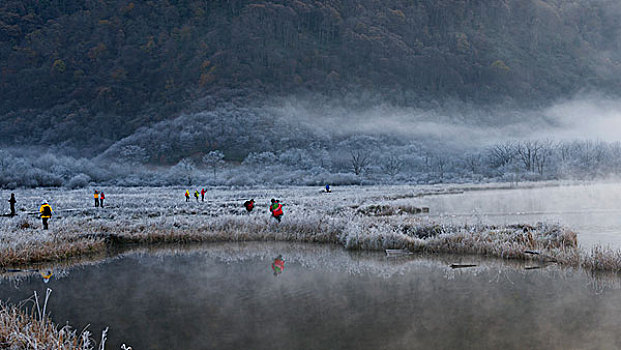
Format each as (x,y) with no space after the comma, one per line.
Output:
(33,329)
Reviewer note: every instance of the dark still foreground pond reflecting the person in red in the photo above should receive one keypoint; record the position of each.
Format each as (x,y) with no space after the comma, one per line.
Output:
(228,296)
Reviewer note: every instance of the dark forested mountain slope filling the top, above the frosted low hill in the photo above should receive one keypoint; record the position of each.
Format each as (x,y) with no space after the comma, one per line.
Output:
(89,72)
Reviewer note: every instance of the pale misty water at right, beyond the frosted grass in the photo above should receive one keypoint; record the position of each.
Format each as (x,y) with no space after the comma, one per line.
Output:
(591,210)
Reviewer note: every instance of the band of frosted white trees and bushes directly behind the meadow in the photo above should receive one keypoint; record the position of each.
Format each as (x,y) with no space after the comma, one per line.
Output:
(353,160)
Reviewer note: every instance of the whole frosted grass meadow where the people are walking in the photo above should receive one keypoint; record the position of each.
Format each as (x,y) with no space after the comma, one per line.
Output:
(161,215)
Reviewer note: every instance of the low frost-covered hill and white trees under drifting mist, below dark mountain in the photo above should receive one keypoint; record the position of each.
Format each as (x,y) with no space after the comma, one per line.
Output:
(313,141)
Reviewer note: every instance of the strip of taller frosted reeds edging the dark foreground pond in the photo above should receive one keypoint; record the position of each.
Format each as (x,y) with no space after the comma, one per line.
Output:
(549,243)
